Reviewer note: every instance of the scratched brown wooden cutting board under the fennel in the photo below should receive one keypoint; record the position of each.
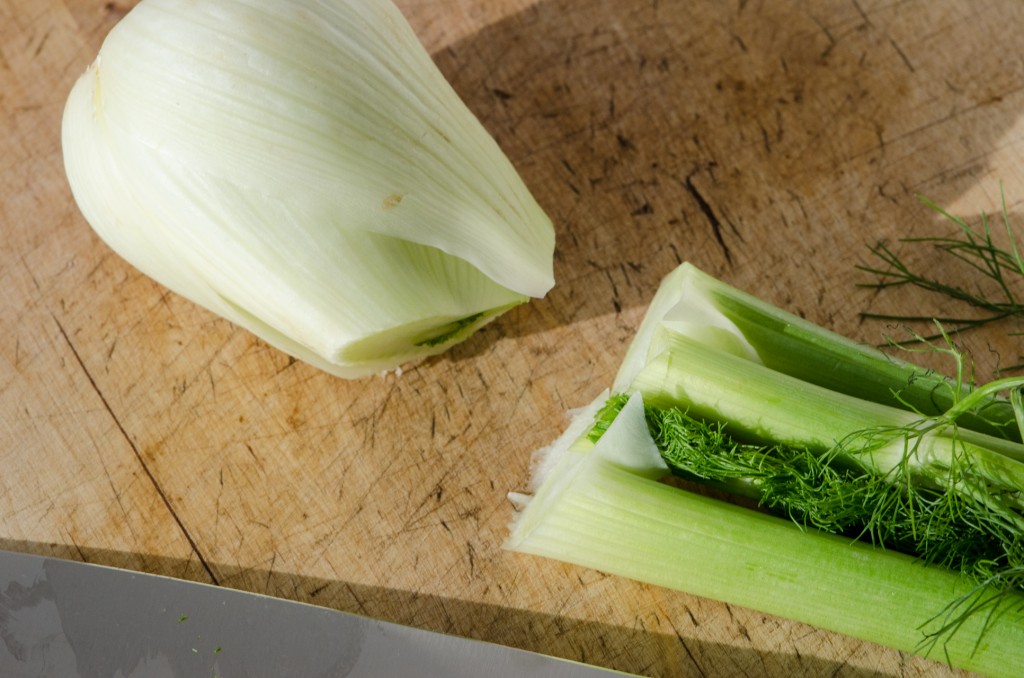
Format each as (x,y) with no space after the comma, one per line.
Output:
(770,143)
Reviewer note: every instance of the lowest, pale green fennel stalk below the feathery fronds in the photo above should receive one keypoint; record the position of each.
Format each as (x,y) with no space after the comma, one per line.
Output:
(596,510)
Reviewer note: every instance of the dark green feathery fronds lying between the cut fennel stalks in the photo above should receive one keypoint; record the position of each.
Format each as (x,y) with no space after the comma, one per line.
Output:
(829,493)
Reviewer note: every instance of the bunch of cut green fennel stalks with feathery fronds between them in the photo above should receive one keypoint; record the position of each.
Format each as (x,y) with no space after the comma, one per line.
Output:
(878,521)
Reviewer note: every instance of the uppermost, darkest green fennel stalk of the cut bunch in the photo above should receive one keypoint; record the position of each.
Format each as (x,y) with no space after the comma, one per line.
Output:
(694,304)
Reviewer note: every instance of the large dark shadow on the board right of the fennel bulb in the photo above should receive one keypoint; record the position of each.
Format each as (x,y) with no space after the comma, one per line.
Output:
(767,143)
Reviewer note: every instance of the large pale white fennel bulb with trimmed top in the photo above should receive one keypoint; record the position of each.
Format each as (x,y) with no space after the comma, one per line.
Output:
(304,169)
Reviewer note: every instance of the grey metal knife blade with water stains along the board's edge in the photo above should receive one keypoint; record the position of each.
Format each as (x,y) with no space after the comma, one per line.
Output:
(74,620)
